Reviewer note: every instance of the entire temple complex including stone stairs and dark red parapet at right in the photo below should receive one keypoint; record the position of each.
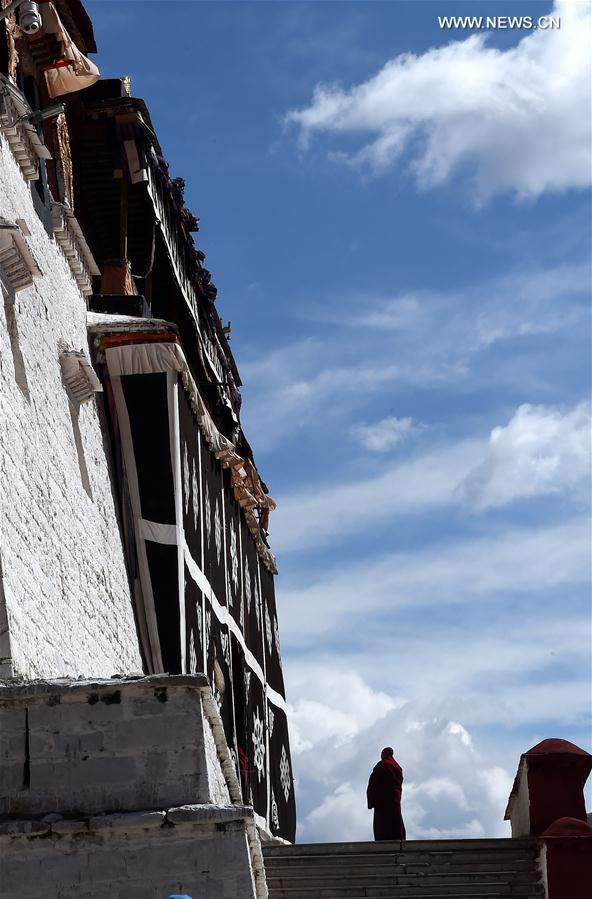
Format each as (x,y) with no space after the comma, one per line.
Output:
(144,746)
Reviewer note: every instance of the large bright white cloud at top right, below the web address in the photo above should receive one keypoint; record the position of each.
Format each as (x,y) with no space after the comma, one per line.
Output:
(519,118)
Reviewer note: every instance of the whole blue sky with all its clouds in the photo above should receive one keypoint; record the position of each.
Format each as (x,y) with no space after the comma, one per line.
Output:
(397,219)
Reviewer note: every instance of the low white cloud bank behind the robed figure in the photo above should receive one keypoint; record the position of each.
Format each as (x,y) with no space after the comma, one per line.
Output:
(458,736)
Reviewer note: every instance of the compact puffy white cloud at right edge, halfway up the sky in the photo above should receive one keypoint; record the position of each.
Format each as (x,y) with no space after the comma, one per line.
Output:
(541,450)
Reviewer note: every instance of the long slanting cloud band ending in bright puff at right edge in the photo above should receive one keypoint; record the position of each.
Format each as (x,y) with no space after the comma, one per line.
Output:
(540,451)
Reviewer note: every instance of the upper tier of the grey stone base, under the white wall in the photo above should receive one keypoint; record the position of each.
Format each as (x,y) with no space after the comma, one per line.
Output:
(104,747)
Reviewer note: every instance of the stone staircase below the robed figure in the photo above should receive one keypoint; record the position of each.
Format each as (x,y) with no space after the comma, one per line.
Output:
(415,869)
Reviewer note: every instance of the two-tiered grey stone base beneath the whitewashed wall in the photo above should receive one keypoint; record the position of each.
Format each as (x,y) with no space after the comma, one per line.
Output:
(109,789)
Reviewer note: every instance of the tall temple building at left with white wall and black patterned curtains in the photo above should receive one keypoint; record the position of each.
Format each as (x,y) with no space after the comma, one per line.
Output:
(133,519)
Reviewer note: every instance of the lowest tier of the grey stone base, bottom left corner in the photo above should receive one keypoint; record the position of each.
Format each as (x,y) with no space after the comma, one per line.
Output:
(149,858)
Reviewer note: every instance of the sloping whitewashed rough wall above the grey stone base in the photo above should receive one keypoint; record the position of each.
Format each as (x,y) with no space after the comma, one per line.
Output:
(67,606)
